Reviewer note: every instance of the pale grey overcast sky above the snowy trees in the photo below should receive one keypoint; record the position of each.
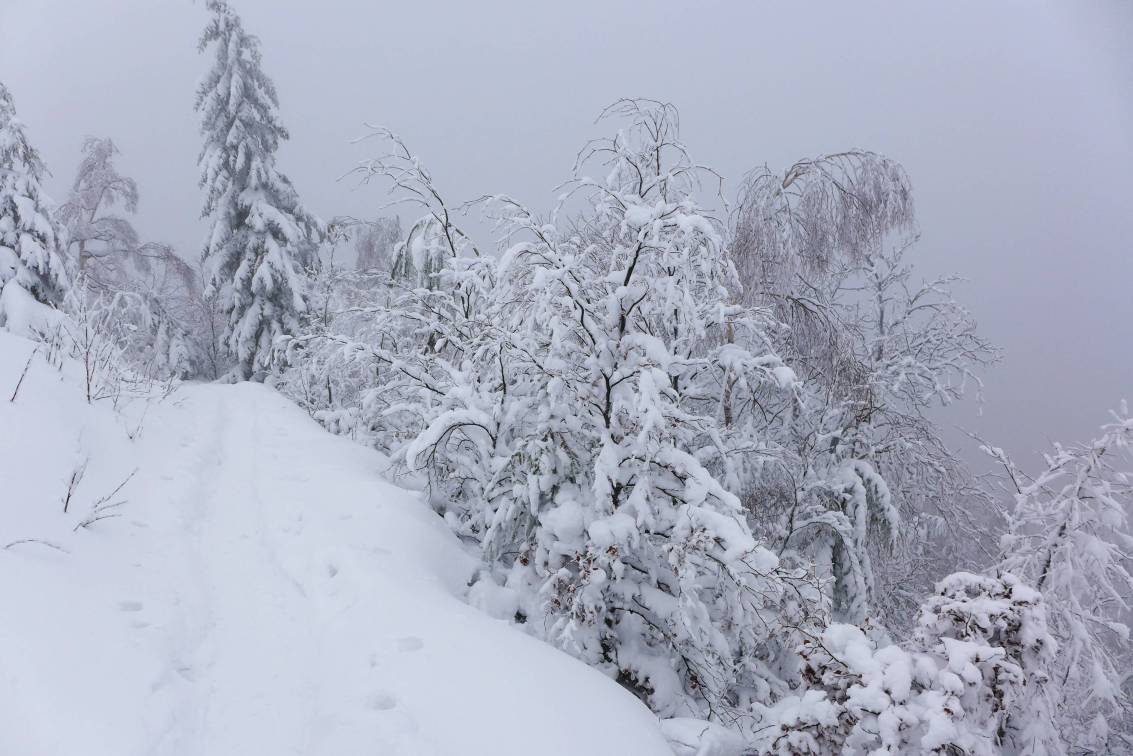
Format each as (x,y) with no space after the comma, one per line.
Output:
(1013,120)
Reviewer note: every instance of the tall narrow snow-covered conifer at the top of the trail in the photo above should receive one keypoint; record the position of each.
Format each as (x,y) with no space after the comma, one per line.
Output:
(261,235)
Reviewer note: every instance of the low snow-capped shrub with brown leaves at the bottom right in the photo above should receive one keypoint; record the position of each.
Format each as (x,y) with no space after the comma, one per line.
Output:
(974,682)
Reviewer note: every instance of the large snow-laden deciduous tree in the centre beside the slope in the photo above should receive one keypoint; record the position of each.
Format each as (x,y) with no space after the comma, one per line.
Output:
(581,439)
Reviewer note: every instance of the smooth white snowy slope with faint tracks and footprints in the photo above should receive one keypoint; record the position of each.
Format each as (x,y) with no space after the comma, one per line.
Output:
(263,591)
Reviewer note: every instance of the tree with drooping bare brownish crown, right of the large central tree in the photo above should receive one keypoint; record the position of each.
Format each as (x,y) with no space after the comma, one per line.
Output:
(825,247)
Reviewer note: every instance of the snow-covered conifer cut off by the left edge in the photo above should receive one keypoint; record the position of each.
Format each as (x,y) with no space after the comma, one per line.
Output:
(30,259)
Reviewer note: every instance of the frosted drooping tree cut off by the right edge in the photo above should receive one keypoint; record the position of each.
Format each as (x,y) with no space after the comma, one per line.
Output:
(1069,536)
